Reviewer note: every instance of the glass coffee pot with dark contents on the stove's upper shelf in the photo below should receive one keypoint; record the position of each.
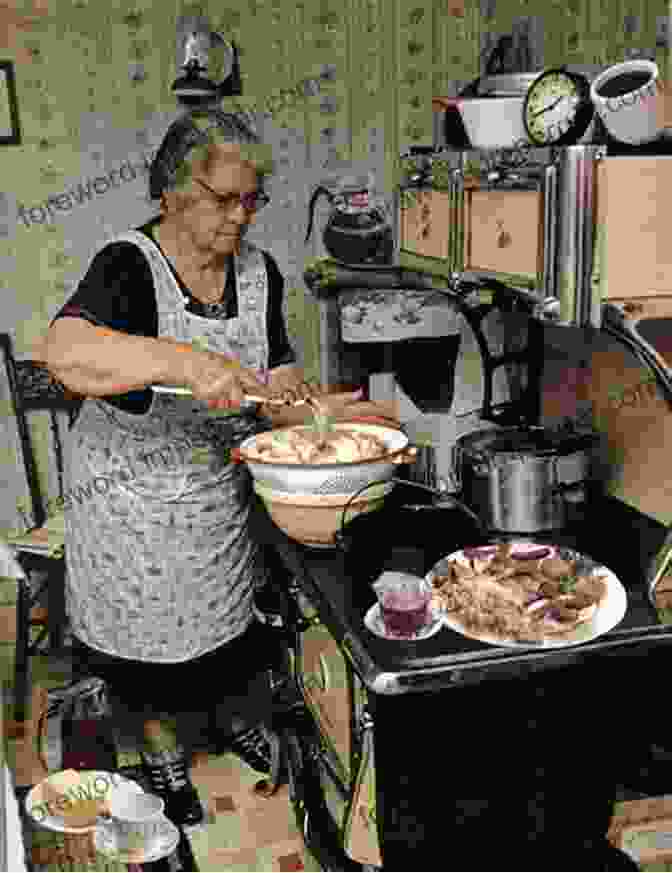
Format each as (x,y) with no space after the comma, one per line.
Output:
(358,231)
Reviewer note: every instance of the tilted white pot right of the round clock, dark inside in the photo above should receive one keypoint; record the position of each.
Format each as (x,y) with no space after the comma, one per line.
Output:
(630,118)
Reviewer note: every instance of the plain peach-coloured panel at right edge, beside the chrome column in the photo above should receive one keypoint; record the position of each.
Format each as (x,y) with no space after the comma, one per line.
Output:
(634,199)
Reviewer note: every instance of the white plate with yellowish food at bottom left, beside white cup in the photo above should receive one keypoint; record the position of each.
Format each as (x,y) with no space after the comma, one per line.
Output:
(71,801)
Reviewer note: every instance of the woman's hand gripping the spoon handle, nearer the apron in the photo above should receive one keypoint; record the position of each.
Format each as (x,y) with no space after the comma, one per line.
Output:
(221,382)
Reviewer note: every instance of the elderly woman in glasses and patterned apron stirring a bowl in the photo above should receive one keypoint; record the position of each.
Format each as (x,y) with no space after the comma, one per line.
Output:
(162,567)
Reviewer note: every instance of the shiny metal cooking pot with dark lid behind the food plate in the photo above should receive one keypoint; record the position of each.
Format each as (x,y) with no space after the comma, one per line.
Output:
(519,480)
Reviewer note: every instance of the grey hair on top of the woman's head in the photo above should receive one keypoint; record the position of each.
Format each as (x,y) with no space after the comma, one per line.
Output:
(192,138)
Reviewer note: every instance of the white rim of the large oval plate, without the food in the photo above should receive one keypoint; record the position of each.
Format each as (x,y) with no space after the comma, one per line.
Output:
(609,614)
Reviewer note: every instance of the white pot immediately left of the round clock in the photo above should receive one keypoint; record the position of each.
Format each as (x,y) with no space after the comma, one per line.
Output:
(494,123)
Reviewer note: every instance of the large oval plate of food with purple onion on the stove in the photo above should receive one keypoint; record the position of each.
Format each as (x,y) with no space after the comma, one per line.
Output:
(525,594)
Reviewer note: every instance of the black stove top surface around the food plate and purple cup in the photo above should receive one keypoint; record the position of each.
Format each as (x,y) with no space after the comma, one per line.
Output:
(397,537)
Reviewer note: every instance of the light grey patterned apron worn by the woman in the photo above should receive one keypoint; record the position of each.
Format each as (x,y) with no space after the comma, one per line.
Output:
(160,563)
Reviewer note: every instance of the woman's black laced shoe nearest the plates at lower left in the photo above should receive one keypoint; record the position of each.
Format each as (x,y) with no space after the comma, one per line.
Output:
(168,777)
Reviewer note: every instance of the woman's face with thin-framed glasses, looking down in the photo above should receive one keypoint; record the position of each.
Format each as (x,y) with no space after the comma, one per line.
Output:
(213,218)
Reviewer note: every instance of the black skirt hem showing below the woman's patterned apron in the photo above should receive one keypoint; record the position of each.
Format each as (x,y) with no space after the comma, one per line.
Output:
(189,686)
